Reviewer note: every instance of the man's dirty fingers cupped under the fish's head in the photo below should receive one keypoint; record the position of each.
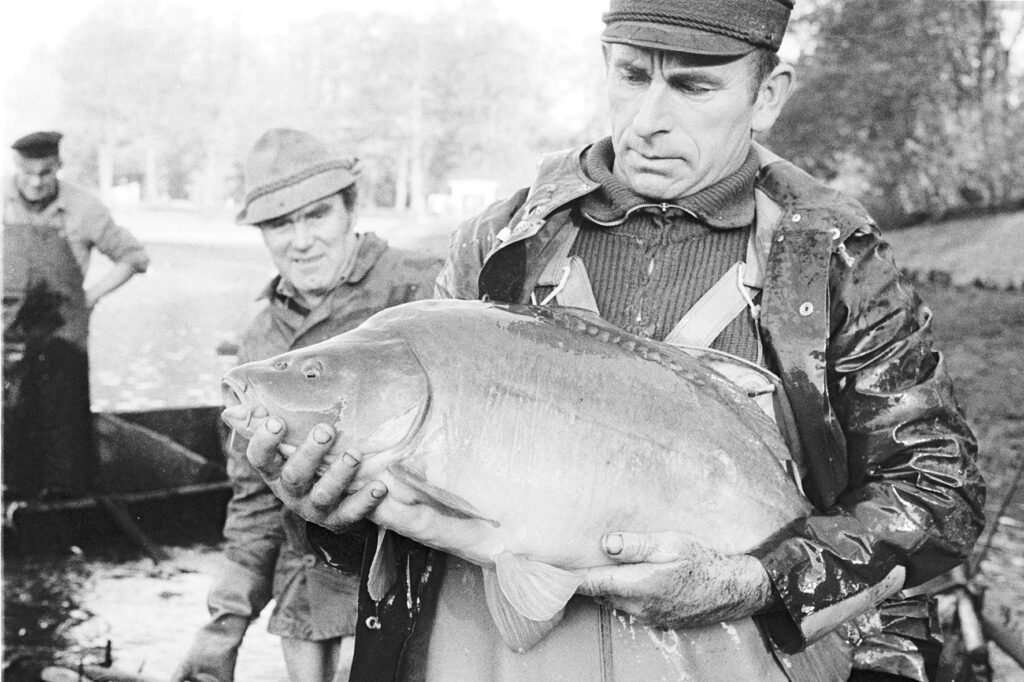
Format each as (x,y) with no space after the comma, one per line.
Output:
(322,500)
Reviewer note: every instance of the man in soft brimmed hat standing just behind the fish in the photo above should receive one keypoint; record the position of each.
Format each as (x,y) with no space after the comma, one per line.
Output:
(303,199)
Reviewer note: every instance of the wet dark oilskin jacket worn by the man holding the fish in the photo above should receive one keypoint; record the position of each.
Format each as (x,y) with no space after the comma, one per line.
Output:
(888,459)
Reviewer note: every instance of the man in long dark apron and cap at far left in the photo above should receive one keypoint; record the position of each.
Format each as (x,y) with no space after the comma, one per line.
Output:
(51,230)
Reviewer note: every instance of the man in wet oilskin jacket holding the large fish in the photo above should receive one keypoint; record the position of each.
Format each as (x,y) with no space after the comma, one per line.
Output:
(679,229)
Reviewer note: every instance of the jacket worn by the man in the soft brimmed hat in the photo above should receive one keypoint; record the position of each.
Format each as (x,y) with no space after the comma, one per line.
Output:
(267,552)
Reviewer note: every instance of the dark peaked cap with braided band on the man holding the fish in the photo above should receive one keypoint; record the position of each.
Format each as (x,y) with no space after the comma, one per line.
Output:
(702,27)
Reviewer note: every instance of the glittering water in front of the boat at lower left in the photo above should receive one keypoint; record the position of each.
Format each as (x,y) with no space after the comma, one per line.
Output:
(70,609)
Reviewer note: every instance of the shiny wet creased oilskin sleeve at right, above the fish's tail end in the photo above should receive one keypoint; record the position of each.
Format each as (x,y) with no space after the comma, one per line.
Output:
(914,507)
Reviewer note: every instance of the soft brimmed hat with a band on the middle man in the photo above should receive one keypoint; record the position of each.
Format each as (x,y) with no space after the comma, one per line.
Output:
(288,169)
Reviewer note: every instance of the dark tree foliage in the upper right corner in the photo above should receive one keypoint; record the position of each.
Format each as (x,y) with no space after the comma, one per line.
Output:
(919,98)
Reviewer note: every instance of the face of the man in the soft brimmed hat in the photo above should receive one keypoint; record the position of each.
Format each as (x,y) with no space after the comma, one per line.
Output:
(312,245)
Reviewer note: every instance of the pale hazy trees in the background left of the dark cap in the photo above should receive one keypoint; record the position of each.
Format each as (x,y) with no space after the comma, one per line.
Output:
(177,102)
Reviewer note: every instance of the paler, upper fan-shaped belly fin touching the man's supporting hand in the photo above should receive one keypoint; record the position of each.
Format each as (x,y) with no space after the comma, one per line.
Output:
(536,590)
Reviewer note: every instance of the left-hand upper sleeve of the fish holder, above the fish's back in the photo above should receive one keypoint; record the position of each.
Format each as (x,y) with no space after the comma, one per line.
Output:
(470,246)
